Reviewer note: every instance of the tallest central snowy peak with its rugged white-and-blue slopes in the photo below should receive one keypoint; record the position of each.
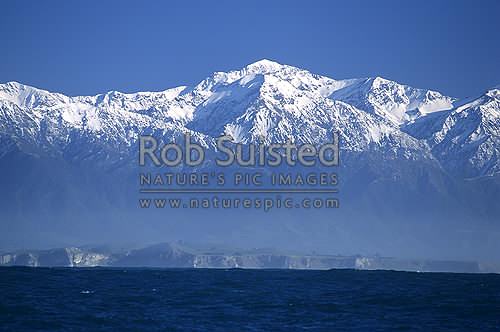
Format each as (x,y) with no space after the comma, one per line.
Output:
(286,104)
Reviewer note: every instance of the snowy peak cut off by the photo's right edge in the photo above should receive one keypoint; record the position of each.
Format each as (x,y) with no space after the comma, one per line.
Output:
(466,139)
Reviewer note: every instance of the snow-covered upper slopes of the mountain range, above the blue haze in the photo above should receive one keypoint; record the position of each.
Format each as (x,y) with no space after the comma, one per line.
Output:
(264,99)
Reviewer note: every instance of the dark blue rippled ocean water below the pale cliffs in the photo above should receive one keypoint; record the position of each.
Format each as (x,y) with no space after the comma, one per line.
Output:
(65,299)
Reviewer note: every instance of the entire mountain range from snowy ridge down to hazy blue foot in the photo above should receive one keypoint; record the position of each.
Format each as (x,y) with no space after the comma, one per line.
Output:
(418,177)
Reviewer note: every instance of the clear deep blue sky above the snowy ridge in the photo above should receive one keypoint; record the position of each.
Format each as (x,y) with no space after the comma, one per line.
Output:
(88,47)
